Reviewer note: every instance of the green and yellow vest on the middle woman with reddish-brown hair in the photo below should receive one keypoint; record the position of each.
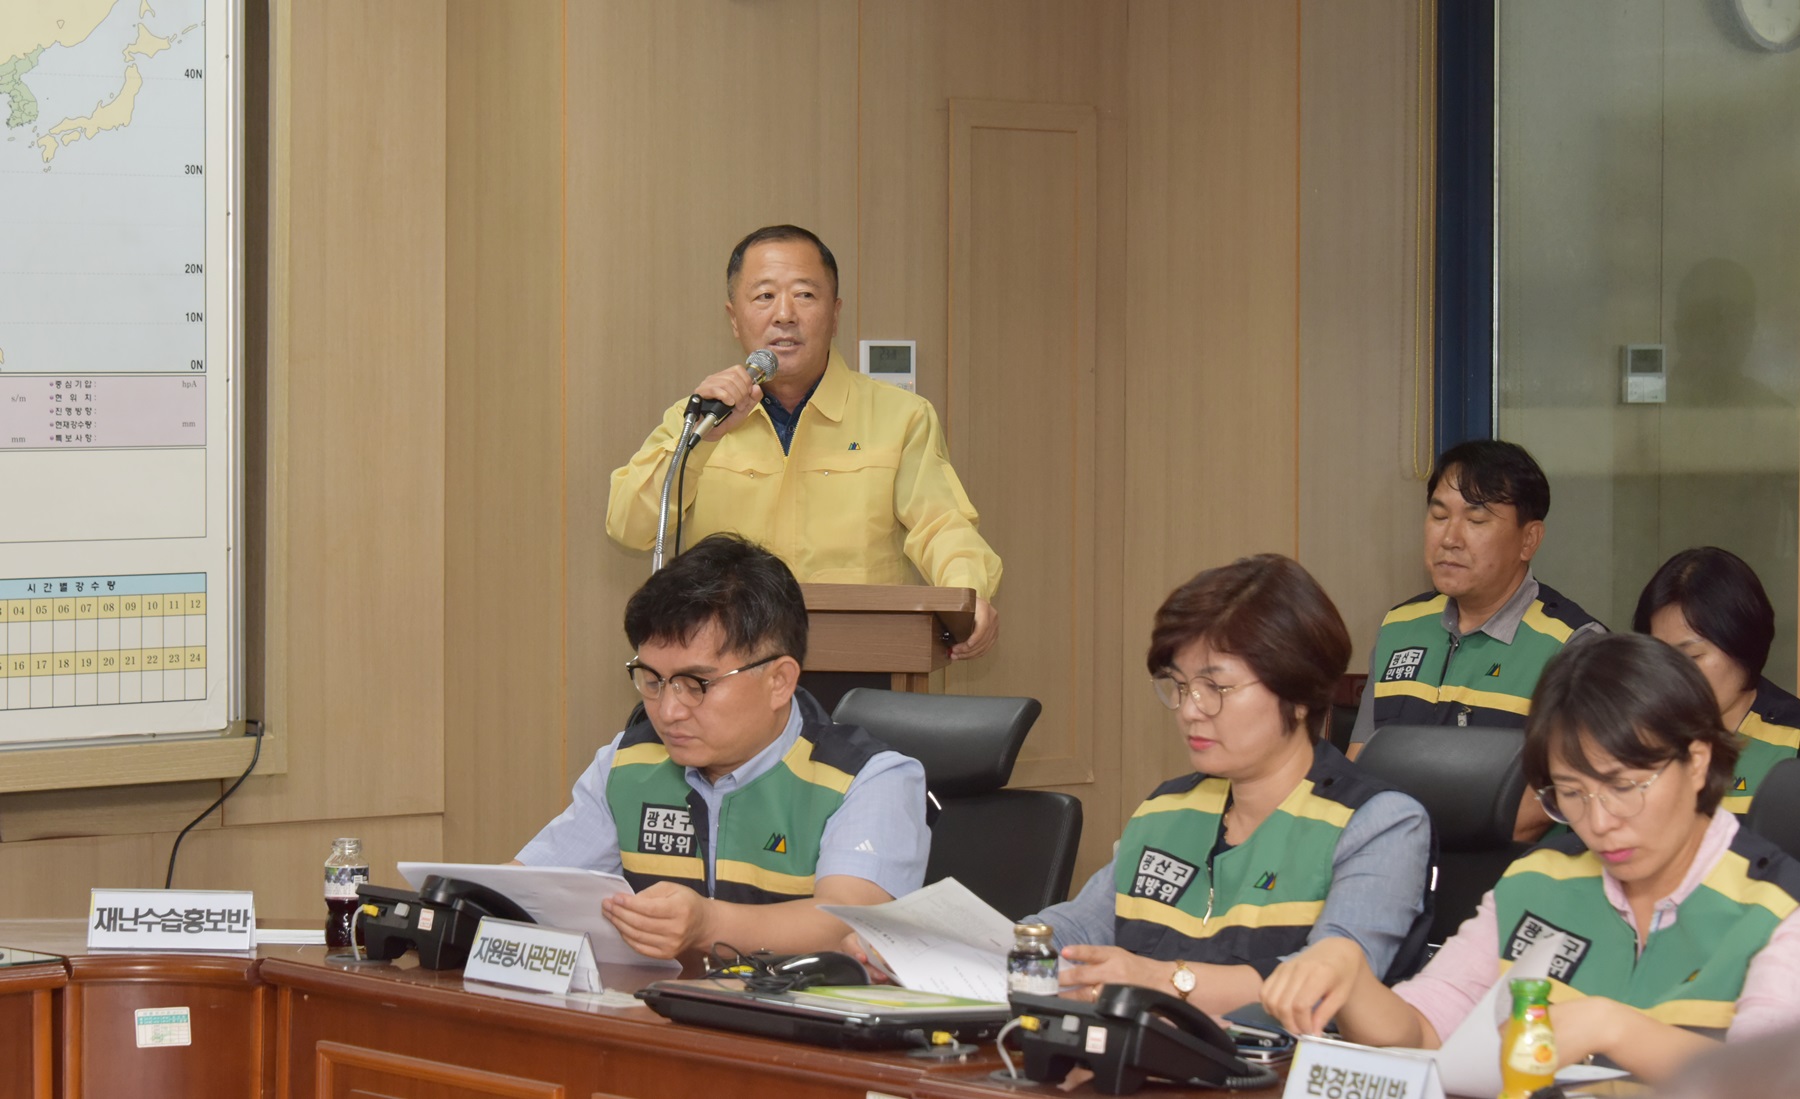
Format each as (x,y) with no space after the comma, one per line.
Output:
(1263,897)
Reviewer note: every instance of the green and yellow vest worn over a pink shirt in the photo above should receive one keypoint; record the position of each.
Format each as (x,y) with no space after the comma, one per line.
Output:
(1691,972)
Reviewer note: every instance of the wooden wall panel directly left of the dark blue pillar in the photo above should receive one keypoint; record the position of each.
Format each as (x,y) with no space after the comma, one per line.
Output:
(1365,310)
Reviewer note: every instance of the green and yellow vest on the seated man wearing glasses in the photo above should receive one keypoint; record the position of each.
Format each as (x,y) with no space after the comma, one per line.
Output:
(769,830)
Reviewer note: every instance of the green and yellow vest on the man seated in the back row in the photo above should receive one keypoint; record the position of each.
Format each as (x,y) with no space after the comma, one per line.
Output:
(1423,675)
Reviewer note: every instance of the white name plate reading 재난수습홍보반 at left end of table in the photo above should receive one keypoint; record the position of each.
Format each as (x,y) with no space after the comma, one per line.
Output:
(172,920)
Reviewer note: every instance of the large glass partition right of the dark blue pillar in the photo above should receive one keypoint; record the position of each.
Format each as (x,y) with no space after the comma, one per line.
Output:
(1648,262)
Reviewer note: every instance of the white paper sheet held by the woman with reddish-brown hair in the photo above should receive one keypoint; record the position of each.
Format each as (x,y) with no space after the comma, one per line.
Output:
(939,940)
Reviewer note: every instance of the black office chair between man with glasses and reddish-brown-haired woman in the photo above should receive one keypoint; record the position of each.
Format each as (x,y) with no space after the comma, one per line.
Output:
(1011,848)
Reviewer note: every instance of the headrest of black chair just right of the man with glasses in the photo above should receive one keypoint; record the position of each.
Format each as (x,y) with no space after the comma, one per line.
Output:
(967,744)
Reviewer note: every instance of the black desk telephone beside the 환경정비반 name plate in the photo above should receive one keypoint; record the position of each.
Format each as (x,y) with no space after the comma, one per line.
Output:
(1128,1037)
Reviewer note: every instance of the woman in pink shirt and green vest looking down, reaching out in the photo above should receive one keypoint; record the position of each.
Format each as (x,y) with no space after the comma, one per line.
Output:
(1680,927)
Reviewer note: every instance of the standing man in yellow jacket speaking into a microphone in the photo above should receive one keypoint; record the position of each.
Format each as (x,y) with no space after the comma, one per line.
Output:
(843,478)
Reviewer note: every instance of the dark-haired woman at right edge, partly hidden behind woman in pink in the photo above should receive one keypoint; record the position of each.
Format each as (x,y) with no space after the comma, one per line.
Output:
(1711,605)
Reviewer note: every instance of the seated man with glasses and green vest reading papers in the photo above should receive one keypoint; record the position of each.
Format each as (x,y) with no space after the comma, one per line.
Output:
(732,803)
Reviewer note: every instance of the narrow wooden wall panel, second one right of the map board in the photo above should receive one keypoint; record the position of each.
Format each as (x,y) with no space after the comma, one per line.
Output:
(503,431)
